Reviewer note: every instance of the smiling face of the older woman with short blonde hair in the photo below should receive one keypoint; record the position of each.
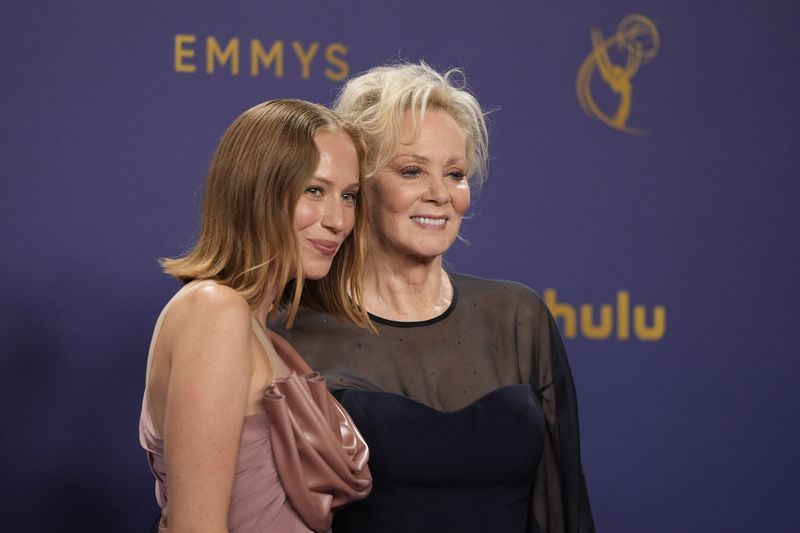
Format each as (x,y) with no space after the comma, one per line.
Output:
(416,202)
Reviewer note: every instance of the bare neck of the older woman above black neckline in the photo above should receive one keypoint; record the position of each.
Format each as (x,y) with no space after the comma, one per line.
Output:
(406,289)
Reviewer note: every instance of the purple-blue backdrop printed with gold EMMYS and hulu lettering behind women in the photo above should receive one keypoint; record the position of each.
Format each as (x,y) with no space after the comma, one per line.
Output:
(643,180)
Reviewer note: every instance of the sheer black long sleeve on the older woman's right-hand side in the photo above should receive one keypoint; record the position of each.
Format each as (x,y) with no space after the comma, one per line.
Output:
(560,501)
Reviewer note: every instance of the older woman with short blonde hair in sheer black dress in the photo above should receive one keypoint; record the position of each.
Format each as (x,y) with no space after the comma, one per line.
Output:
(465,397)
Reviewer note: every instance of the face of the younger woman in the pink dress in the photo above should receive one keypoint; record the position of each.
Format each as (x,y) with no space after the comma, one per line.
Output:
(325,212)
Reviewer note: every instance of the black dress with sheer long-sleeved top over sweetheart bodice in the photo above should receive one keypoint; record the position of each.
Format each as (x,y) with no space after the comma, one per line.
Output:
(471,416)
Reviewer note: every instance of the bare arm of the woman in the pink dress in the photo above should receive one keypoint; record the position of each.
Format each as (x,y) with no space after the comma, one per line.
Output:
(211,363)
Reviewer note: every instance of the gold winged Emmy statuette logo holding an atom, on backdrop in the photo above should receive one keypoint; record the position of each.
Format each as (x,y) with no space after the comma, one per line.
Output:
(637,42)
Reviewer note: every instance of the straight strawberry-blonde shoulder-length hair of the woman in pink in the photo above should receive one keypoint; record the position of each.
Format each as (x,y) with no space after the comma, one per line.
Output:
(247,237)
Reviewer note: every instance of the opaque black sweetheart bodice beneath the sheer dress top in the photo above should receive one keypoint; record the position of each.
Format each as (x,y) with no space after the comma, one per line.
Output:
(469,470)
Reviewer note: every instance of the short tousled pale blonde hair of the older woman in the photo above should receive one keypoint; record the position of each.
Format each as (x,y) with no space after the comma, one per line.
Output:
(377,100)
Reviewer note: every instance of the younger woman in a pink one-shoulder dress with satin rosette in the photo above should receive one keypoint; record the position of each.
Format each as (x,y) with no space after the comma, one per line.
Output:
(283,207)
